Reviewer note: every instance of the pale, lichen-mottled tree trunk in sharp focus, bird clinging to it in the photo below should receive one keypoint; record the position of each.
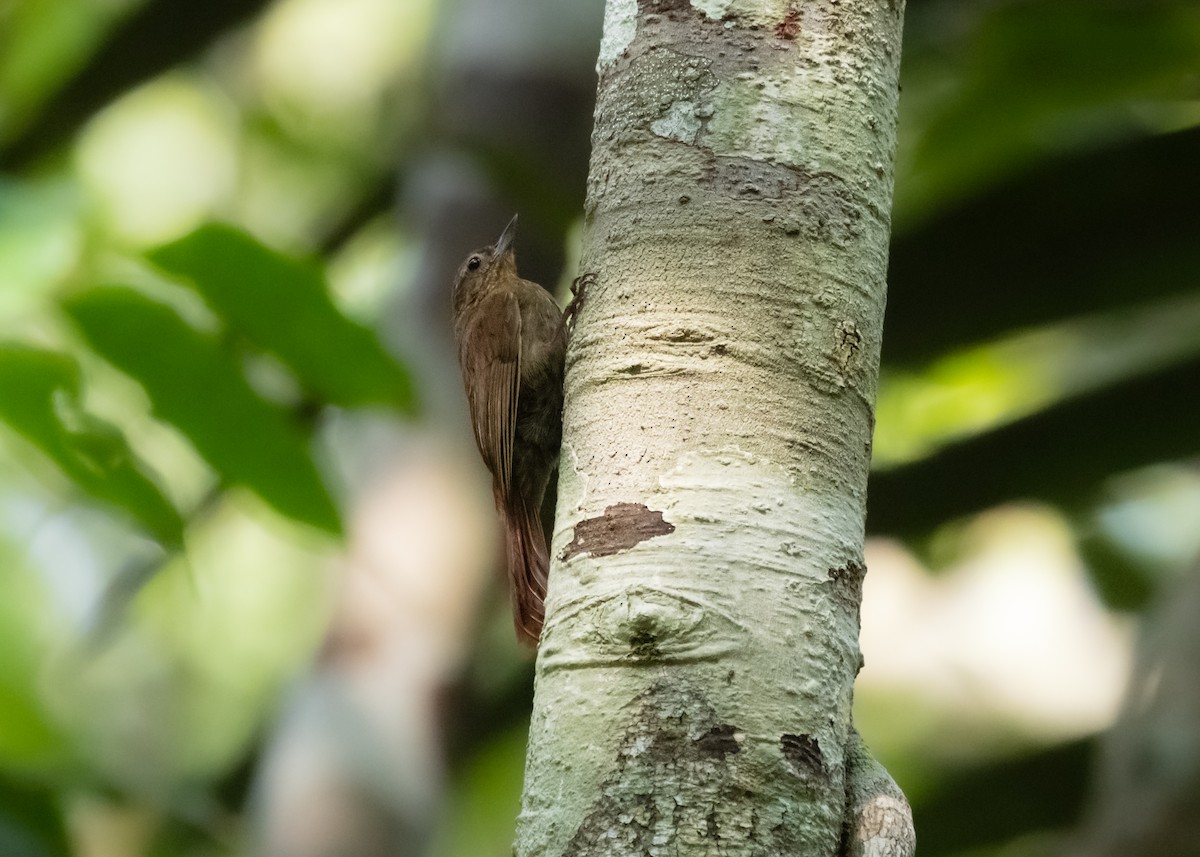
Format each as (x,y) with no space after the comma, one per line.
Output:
(697,670)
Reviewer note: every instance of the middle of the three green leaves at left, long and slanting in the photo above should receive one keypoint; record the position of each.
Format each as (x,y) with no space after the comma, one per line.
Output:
(199,387)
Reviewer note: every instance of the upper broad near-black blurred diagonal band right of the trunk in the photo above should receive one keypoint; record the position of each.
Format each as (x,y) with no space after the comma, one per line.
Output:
(1057,243)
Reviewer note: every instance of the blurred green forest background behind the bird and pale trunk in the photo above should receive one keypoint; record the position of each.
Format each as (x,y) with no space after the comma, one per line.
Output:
(249,590)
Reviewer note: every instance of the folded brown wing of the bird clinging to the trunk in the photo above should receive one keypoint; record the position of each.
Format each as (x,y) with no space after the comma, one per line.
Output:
(491,361)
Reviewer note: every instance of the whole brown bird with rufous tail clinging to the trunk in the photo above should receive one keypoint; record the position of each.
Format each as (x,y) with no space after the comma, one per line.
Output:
(512,345)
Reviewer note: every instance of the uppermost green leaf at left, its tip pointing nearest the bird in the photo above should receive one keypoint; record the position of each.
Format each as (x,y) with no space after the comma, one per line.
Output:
(284,307)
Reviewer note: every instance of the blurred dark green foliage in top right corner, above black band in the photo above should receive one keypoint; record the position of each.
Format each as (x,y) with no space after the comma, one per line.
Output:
(1005,85)
